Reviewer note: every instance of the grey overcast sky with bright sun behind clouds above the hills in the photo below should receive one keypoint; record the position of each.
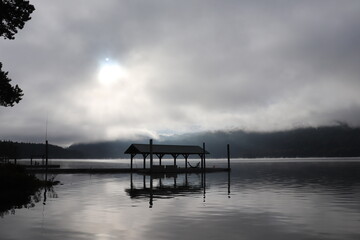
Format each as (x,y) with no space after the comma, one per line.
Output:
(104,70)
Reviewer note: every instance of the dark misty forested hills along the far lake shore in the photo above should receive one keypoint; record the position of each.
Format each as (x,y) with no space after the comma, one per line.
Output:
(337,141)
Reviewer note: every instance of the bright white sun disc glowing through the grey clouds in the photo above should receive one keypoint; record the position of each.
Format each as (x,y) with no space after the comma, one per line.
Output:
(111,73)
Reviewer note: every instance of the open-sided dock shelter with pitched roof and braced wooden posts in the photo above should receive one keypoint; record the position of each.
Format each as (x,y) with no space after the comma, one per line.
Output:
(161,150)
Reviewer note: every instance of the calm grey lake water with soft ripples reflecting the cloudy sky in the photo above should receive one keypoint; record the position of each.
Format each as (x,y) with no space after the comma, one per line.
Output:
(261,199)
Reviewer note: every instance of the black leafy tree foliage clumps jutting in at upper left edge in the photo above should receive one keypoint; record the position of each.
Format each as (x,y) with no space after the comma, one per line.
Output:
(13,15)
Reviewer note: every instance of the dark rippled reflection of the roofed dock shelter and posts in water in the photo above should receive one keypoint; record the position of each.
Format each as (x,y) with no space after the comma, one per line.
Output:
(169,185)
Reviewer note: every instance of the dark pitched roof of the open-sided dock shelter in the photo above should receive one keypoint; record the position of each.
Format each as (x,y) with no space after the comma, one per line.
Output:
(164,149)
